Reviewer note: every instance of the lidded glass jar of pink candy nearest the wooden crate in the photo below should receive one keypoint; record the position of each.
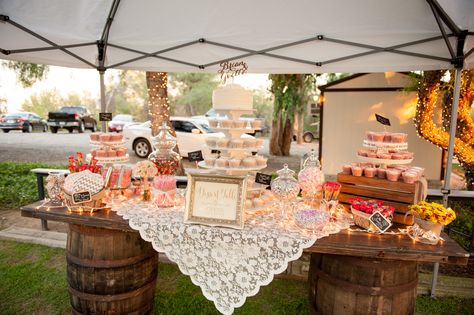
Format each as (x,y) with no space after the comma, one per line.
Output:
(310,180)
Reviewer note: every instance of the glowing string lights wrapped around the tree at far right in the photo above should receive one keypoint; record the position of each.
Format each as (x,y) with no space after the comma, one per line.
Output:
(426,127)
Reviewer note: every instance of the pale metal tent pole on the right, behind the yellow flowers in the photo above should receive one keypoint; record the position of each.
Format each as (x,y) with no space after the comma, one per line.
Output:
(449,162)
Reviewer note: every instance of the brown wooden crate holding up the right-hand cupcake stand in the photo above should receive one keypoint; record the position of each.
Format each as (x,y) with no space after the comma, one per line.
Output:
(397,194)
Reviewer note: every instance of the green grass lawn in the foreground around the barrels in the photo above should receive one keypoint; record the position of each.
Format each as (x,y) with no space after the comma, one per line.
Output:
(33,281)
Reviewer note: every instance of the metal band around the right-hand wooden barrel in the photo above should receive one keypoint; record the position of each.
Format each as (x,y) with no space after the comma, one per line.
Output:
(367,290)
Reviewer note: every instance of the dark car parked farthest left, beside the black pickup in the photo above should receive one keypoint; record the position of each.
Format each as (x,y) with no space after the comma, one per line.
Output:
(26,122)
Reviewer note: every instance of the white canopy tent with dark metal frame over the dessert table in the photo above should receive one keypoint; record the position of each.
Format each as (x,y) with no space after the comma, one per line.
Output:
(271,36)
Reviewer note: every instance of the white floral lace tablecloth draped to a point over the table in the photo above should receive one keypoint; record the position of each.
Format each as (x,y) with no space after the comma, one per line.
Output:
(229,265)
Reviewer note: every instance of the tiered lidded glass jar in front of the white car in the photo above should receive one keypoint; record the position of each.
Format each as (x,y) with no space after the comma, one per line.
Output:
(164,158)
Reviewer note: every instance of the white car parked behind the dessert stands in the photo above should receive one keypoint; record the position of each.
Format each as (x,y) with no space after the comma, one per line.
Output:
(191,134)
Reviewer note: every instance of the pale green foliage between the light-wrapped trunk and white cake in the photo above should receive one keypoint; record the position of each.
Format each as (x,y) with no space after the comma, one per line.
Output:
(194,92)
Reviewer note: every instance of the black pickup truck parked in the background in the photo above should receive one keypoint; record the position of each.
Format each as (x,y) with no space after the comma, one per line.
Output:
(70,118)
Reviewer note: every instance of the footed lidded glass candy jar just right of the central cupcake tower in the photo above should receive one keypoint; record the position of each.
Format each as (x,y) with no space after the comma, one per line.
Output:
(285,187)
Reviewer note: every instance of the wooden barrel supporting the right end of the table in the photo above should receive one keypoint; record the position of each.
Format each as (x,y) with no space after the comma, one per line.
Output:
(345,285)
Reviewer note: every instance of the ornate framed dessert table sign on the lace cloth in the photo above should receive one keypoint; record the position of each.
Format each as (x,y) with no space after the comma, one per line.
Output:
(216,200)
